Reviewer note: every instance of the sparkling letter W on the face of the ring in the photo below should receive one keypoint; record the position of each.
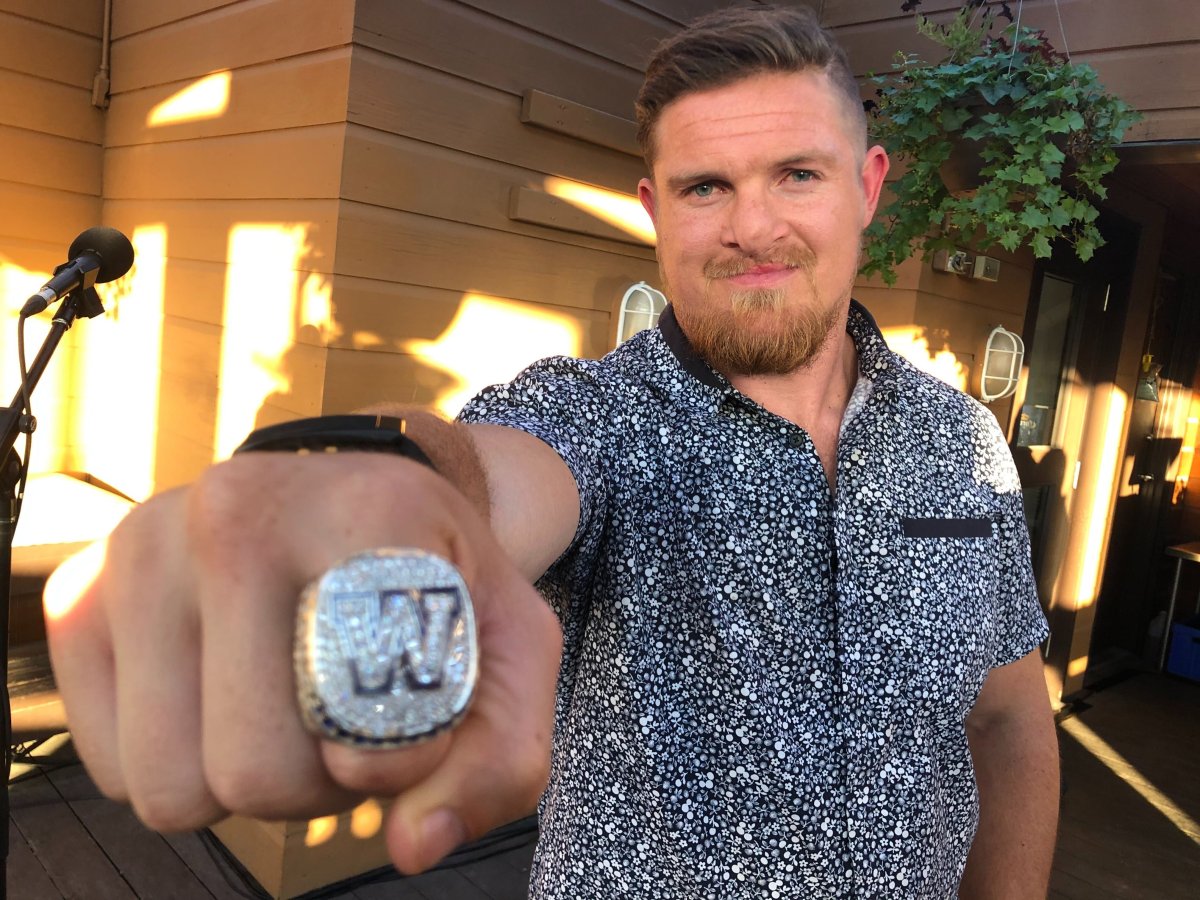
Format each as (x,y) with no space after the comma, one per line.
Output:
(409,631)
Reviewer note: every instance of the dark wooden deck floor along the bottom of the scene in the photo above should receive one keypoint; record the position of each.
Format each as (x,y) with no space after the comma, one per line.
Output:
(1135,741)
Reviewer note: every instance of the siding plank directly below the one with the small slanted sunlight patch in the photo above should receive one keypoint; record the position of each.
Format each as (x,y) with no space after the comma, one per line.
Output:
(298,163)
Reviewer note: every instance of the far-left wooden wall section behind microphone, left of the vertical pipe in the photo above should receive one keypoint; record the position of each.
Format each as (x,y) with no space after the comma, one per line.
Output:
(51,160)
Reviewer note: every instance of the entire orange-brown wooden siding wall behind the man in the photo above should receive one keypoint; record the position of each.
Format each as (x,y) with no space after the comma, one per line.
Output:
(369,211)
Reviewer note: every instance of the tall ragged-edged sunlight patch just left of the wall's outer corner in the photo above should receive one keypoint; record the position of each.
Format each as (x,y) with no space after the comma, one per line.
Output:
(266,304)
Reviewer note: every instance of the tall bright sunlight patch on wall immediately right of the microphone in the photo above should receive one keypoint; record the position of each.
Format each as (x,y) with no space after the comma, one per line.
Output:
(122,362)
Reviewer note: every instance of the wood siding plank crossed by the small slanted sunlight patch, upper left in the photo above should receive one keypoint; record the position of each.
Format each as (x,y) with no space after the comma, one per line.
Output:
(290,94)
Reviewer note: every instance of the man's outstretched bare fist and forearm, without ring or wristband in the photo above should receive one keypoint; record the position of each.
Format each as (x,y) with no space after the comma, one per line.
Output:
(172,640)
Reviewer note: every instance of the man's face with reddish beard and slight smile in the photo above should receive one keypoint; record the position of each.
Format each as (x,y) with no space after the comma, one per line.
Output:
(760,194)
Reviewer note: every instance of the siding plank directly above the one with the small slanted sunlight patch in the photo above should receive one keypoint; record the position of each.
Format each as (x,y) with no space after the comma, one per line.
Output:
(230,38)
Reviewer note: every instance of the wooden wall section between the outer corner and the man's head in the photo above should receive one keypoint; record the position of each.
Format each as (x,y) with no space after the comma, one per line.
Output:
(455,267)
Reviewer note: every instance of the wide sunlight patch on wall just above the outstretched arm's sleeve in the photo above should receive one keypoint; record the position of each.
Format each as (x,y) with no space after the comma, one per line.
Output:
(490,341)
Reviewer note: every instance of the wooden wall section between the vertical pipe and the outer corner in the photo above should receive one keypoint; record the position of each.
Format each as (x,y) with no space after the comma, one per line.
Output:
(224,160)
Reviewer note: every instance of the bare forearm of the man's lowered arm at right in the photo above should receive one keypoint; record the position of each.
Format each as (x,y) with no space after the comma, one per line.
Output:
(1017,770)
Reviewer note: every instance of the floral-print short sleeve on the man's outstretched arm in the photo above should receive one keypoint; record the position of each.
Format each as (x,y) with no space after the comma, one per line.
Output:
(560,401)
